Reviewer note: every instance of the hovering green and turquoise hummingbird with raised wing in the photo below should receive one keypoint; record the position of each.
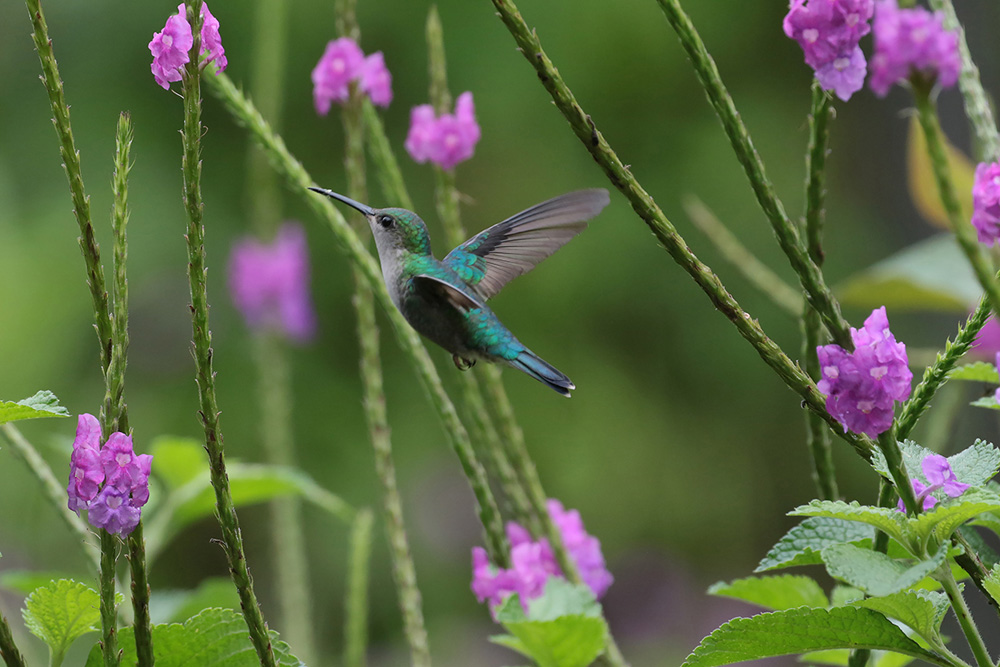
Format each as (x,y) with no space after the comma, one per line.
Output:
(445,300)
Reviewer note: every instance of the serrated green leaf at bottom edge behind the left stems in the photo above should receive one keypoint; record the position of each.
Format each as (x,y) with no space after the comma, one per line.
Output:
(213,638)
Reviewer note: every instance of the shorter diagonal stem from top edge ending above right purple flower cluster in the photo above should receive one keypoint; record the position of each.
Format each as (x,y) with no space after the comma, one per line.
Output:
(810,276)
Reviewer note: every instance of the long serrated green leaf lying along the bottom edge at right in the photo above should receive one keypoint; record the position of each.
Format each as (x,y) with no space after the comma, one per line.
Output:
(800,631)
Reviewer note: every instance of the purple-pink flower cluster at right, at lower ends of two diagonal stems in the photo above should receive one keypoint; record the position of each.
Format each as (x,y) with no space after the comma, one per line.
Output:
(861,386)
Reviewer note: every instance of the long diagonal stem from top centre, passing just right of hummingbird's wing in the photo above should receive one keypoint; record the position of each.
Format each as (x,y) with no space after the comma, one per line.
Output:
(586,130)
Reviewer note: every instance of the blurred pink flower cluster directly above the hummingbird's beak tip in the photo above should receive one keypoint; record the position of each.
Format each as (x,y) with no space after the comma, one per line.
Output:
(344,62)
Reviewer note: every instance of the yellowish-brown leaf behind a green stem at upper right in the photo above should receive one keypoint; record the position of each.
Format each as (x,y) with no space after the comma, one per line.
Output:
(922,182)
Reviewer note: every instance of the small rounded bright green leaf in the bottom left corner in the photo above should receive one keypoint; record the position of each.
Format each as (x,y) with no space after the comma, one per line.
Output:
(61,612)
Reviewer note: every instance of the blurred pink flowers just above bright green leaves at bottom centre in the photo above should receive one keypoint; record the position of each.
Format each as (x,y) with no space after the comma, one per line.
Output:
(533,562)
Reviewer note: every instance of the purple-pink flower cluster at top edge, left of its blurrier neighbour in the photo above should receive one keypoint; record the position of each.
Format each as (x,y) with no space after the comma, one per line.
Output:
(828,32)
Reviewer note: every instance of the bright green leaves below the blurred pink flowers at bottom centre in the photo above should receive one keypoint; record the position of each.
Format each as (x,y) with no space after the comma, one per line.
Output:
(563,627)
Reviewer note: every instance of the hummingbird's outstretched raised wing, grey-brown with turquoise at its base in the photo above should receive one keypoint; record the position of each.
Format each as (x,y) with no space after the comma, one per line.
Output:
(495,256)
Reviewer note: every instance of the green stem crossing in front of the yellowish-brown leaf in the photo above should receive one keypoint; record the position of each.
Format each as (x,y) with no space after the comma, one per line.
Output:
(964,233)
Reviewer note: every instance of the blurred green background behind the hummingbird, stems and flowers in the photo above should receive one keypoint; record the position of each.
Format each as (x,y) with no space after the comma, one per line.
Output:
(680,448)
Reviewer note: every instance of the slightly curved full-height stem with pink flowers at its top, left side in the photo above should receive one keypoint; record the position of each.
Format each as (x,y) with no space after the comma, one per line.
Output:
(209,409)
